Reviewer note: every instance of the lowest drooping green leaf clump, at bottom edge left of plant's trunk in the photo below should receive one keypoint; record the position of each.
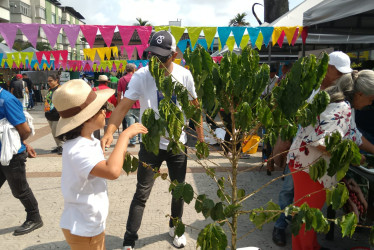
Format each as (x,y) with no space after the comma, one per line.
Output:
(212,237)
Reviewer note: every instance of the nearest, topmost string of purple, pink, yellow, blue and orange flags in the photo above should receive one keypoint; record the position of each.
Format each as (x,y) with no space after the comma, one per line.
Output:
(257,35)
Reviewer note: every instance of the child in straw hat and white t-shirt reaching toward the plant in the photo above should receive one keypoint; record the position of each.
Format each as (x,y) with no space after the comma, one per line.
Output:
(84,168)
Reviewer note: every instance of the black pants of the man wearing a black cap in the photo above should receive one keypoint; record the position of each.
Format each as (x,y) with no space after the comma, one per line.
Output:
(177,165)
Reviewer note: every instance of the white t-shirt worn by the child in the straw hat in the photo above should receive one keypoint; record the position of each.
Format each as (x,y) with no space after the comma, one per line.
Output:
(86,201)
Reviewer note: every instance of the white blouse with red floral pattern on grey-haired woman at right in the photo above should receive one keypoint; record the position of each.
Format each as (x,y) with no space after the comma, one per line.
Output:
(303,152)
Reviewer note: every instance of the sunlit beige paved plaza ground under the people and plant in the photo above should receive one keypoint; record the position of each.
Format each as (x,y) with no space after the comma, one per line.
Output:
(44,178)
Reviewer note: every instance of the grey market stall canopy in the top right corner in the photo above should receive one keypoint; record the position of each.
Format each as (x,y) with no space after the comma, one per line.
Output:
(344,17)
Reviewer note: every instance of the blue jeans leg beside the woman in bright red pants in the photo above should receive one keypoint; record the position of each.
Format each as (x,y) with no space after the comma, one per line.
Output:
(285,198)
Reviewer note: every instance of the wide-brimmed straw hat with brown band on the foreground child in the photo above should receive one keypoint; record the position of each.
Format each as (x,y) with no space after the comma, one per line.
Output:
(76,102)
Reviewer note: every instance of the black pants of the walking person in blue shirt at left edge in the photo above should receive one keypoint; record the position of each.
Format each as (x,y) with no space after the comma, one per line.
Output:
(15,174)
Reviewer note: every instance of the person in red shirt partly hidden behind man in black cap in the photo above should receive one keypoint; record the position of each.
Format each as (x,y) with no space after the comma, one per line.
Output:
(133,115)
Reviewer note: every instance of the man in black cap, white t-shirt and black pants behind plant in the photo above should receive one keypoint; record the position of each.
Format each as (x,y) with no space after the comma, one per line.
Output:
(142,87)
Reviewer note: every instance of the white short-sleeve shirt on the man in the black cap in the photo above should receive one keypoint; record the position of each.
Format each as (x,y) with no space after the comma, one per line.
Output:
(143,87)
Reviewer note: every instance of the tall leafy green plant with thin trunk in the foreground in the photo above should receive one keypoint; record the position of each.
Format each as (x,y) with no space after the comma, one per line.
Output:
(236,86)
